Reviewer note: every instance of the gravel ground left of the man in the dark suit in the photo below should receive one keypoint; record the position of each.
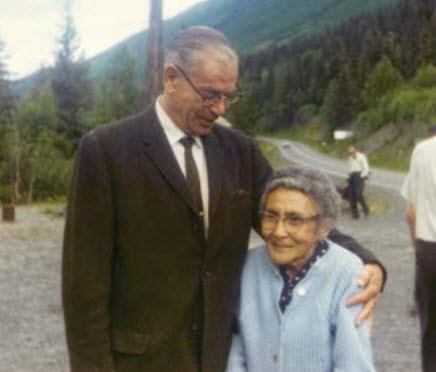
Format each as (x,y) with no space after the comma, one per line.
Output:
(31,323)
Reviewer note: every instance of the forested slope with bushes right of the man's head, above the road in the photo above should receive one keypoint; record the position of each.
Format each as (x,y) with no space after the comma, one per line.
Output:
(374,75)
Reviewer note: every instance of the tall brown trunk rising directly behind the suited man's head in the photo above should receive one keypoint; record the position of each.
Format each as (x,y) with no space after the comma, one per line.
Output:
(153,73)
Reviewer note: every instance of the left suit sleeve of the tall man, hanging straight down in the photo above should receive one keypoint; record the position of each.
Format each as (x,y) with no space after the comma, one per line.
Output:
(87,261)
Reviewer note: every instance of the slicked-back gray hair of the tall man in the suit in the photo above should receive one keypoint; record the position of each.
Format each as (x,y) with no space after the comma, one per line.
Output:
(194,43)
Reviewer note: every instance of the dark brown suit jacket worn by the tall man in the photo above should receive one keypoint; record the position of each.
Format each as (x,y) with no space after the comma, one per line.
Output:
(143,290)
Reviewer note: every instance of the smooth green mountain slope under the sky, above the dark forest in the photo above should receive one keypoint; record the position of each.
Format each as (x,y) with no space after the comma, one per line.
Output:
(250,24)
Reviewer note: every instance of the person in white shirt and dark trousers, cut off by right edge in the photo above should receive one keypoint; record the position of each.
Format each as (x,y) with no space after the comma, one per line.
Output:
(419,189)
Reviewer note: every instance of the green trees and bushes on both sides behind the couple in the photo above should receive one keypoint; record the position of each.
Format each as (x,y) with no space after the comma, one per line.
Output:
(373,74)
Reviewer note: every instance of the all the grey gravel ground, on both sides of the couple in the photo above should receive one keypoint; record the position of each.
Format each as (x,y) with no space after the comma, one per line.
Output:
(31,322)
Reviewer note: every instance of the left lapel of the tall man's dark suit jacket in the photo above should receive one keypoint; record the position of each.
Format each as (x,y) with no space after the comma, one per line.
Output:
(157,149)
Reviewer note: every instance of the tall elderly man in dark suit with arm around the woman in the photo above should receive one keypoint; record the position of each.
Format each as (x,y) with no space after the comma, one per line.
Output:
(159,220)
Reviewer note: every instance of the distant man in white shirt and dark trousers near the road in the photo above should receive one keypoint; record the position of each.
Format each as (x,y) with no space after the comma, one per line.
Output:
(359,170)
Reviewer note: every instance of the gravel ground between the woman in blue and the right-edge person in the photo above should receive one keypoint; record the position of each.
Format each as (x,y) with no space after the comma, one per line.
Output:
(395,332)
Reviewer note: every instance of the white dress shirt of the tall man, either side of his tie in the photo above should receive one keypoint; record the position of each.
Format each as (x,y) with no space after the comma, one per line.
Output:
(174,134)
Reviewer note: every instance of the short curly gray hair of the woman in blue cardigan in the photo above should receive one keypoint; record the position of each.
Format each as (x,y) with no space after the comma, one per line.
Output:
(311,182)
